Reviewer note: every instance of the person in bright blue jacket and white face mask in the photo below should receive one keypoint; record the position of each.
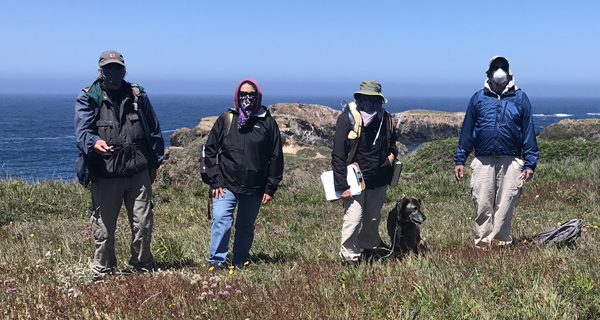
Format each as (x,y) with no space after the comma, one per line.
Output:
(499,126)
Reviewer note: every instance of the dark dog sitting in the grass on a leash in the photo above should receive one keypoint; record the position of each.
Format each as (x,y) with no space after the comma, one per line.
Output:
(403,223)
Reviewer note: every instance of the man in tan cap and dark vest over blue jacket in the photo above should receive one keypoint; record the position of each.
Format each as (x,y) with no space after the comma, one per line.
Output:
(120,147)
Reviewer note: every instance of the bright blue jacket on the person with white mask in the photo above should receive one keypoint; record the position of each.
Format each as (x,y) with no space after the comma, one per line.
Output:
(498,125)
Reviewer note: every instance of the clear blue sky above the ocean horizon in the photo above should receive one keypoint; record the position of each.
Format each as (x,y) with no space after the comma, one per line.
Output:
(414,48)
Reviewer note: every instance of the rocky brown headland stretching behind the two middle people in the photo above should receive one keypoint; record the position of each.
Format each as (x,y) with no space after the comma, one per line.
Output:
(307,131)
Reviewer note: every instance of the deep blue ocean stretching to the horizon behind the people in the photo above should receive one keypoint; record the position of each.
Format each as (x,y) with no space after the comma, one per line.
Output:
(37,141)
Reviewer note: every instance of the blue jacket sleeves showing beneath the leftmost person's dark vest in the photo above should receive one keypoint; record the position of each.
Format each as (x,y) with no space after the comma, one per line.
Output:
(87,109)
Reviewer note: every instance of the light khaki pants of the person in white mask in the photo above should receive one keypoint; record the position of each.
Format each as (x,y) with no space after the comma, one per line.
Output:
(496,185)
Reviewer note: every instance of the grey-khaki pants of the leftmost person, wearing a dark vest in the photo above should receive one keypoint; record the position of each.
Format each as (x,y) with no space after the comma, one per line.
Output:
(107,198)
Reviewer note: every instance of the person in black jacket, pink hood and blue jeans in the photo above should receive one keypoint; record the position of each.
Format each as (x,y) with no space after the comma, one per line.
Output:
(245,164)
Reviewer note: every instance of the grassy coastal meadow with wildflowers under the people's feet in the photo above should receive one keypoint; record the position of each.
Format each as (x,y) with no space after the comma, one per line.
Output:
(45,254)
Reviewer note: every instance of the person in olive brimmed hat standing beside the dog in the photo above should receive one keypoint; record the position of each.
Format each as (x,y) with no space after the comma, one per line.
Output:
(374,154)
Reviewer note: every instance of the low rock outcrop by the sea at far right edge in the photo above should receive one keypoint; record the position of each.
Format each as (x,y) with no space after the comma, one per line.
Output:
(585,129)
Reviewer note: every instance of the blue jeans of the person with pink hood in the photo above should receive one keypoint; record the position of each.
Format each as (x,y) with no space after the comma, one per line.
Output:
(244,227)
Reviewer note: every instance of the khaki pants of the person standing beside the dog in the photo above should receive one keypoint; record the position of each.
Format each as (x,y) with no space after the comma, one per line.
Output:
(362,209)
